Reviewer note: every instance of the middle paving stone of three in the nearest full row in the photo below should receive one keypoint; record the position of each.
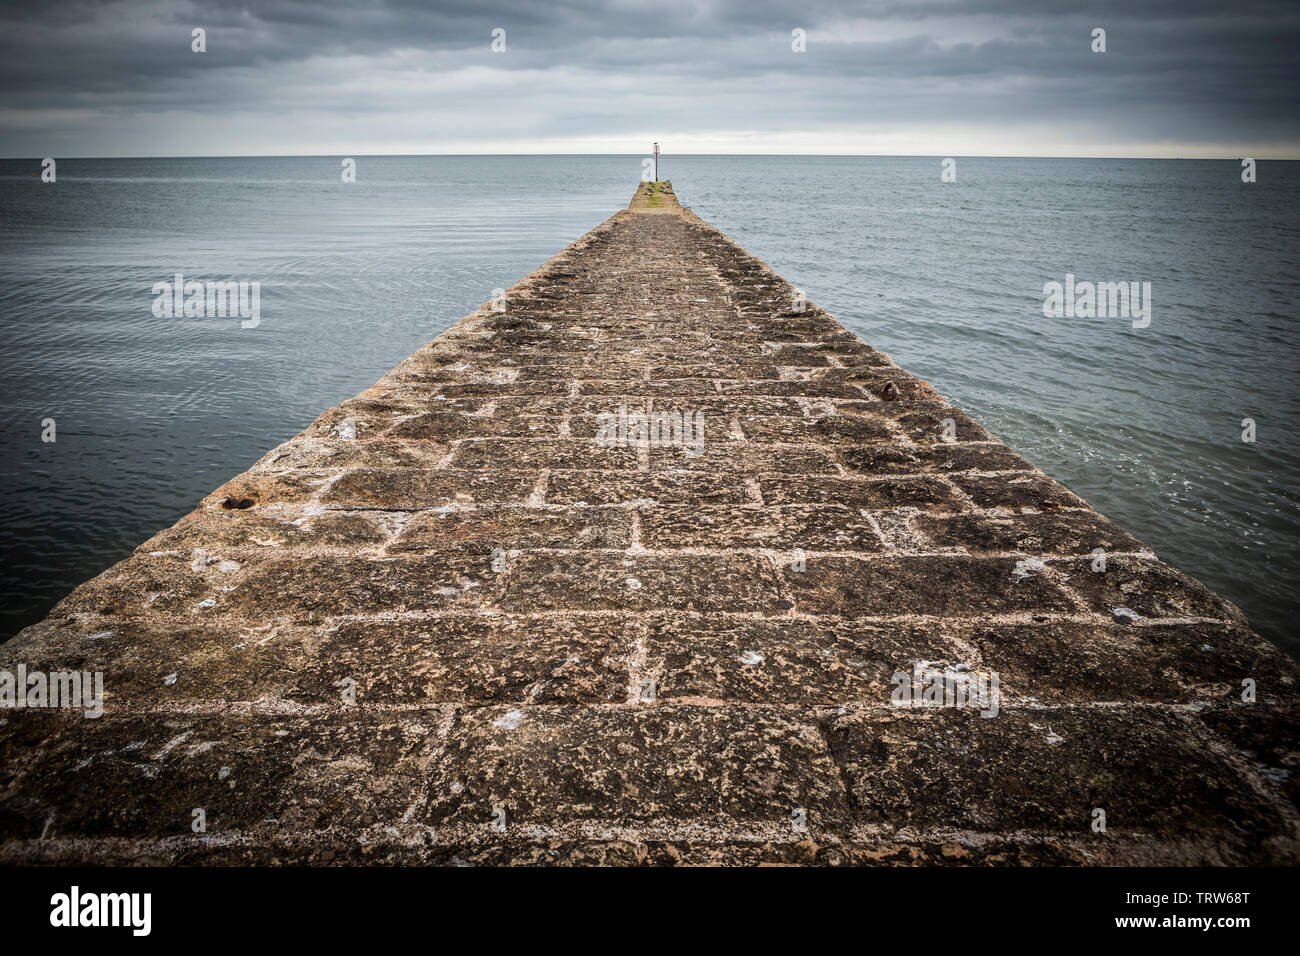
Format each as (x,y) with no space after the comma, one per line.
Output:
(545,765)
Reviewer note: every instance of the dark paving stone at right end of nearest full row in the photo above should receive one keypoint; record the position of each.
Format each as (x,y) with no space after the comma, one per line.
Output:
(1150,772)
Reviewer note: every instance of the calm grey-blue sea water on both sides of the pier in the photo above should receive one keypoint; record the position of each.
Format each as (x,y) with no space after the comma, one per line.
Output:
(1146,425)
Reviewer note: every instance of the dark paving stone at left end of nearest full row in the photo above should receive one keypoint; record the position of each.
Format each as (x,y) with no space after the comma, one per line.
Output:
(141,777)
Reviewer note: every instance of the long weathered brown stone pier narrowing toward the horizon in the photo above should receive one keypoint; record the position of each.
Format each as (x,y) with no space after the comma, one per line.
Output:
(622,570)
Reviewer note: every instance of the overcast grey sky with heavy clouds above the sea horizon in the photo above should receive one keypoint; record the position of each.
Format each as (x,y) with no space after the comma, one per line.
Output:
(911,77)
